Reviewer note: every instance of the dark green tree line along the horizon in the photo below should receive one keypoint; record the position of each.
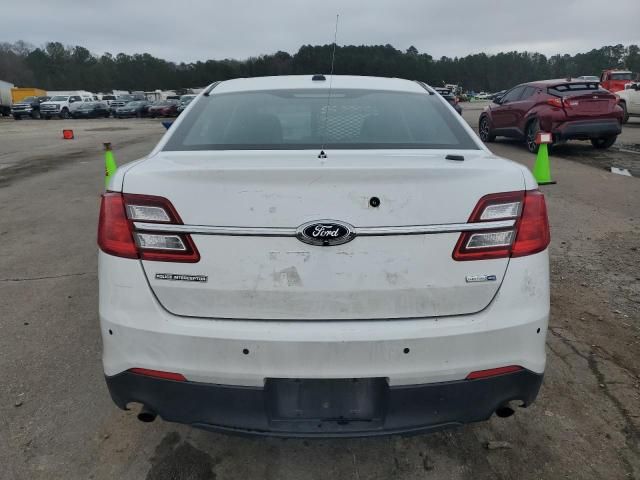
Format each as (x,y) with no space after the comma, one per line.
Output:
(55,66)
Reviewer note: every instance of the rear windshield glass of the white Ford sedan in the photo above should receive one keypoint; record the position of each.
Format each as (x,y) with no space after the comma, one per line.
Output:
(301,119)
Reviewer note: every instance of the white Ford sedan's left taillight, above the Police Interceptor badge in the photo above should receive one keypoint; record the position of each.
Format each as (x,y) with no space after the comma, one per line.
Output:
(118,236)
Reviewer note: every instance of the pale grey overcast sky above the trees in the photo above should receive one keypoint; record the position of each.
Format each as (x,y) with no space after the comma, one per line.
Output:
(193,30)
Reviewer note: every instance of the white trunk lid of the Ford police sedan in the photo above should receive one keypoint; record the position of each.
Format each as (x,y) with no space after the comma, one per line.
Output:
(259,272)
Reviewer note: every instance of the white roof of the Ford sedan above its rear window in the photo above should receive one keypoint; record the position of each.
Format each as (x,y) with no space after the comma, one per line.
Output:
(297,82)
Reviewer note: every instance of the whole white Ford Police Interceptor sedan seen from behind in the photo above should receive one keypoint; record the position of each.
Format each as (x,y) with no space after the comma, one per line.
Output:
(230,302)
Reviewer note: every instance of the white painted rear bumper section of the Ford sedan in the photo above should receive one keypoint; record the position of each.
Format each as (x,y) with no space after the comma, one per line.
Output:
(137,332)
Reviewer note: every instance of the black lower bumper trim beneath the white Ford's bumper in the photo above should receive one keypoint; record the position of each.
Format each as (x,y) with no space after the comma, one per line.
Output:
(387,409)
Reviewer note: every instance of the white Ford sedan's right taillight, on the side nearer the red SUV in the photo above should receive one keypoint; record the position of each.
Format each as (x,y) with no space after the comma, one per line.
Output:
(528,235)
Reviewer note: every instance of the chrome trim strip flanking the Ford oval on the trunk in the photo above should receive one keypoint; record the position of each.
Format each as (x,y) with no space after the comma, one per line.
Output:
(291,232)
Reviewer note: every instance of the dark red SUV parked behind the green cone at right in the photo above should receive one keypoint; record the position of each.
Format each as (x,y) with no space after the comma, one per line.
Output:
(569,109)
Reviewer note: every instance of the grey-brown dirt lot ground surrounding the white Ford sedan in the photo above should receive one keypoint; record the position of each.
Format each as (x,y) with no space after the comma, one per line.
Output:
(57,420)
